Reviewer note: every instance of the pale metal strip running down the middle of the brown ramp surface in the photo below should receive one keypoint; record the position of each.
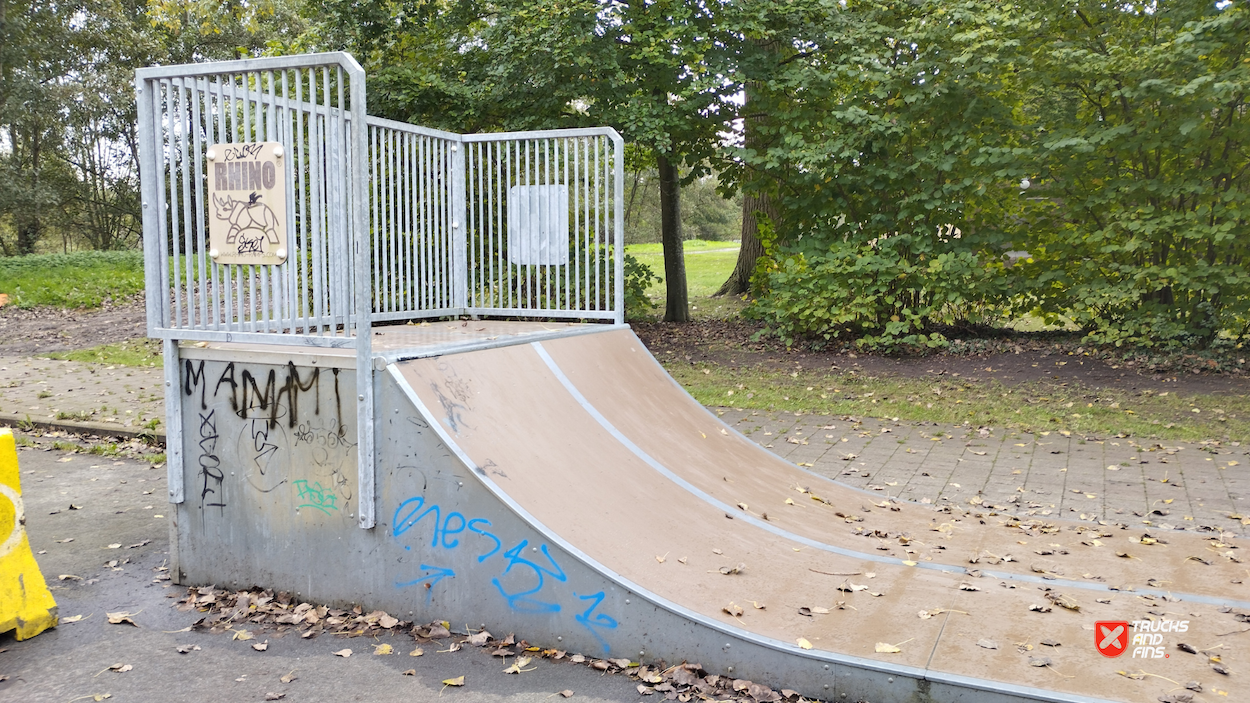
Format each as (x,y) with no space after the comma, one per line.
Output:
(948,569)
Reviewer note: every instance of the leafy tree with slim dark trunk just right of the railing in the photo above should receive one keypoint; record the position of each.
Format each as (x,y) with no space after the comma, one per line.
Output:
(473,66)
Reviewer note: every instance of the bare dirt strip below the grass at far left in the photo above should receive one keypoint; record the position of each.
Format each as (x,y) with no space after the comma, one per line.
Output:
(39,331)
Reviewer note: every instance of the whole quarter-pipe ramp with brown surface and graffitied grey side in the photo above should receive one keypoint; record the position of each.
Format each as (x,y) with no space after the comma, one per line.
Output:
(569,491)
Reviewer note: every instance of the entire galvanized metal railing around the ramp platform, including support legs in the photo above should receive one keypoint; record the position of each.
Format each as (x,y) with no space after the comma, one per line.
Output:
(384,221)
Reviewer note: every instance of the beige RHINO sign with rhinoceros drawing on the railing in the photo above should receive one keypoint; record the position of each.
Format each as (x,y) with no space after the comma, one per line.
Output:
(247,203)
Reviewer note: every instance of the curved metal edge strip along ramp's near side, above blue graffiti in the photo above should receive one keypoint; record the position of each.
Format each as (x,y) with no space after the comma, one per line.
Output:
(742,635)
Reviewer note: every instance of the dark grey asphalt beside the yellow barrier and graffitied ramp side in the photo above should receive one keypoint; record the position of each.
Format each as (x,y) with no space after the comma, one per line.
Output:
(121,502)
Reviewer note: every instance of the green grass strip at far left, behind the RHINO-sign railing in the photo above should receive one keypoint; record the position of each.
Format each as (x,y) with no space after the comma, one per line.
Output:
(83,280)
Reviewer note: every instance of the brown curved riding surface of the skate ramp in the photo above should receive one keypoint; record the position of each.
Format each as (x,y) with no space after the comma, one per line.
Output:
(597,443)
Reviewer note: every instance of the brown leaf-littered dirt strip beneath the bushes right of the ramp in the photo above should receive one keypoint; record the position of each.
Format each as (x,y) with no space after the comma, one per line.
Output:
(1009,361)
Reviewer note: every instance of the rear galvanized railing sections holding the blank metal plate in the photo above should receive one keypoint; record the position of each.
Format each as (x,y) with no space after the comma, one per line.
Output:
(512,225)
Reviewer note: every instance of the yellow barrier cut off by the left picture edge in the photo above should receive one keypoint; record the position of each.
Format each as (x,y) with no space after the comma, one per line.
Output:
(26,602)
